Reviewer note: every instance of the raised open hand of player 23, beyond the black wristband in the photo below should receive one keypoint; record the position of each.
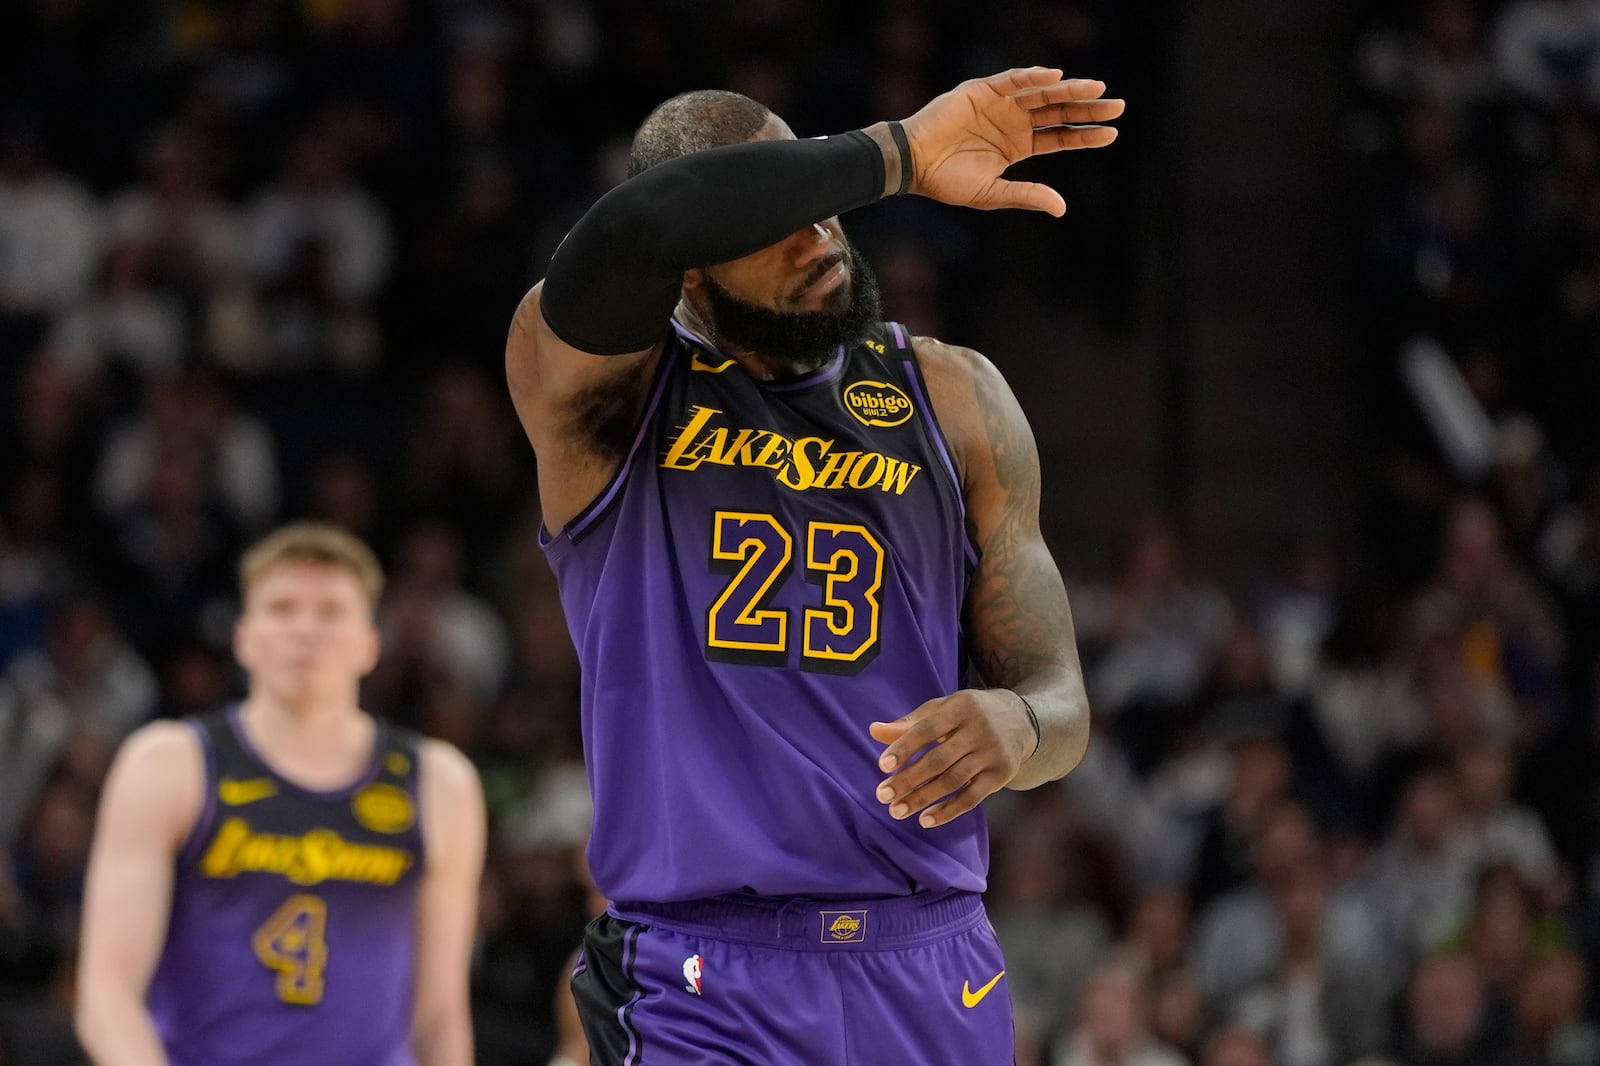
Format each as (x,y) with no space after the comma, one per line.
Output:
(964,142)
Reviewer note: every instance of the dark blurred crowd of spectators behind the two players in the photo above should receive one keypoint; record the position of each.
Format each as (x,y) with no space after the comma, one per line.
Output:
(1343,803)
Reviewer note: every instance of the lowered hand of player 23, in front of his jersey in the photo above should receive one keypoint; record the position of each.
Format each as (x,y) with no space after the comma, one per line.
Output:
(975,740)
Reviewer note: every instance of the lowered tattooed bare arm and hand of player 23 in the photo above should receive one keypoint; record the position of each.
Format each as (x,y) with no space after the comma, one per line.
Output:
(1018,622)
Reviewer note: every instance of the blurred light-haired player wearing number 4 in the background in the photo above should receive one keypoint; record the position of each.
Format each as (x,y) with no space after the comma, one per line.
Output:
(289,881)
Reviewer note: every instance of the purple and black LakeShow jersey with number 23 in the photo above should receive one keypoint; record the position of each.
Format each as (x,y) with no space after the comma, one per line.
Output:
(774,567)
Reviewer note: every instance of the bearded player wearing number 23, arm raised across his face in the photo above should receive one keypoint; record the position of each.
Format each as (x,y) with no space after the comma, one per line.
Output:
(782,531)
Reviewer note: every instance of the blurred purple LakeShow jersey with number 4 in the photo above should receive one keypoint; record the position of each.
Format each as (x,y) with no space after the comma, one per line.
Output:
(294,924)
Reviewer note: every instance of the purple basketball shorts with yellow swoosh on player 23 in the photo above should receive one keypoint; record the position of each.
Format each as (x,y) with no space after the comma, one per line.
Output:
(759,982)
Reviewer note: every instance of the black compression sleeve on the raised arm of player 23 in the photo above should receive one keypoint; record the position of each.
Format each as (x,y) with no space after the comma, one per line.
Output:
(618,273)
